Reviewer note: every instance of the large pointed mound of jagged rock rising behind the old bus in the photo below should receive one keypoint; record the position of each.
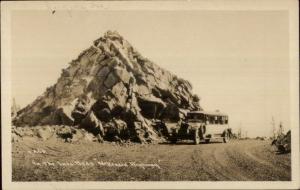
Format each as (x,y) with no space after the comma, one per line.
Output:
(114,93)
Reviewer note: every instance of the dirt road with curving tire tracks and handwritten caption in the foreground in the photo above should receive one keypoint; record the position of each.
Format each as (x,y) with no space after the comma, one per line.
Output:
(244,160)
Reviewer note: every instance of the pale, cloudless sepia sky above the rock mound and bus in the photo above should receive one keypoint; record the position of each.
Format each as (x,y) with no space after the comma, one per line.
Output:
(237,61)
